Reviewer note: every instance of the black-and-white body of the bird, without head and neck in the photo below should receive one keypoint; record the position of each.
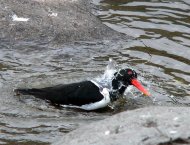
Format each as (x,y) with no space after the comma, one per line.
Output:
(84,94)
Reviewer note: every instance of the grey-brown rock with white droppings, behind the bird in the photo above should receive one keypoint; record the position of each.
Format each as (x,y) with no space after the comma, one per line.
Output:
(52,21)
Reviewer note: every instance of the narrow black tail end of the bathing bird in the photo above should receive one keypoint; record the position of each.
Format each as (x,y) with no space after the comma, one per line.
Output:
(34,92)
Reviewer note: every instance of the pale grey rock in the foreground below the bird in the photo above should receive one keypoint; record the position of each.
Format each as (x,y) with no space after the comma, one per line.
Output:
(148,126)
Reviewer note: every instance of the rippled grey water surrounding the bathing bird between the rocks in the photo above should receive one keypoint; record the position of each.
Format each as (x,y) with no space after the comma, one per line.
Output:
(159,53)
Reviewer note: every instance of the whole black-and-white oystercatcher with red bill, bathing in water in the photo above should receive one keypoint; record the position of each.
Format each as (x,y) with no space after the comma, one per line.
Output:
(87,95)
